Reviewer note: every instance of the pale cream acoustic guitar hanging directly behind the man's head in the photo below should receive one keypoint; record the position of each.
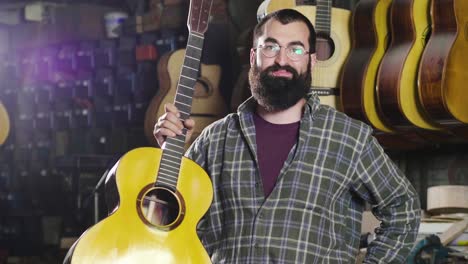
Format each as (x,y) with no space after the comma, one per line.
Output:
(333,42)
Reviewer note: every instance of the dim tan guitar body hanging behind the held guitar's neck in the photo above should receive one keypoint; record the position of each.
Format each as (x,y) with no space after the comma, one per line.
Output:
(208,103)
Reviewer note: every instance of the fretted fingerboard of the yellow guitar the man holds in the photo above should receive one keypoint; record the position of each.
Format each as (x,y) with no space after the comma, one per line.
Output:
(174,147)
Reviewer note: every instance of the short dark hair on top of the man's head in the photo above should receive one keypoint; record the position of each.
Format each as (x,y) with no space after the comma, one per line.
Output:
(286,16)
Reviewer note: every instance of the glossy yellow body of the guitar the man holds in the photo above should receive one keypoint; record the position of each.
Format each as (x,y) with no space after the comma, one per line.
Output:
(123,237)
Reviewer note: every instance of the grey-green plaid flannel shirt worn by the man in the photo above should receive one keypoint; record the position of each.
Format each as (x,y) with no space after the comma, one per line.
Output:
(314,212)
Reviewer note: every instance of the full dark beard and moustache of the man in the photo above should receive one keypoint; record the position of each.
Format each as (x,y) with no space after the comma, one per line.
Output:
(278,93)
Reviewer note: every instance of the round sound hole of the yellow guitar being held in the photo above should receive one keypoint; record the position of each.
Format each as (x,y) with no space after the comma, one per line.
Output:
(161,208)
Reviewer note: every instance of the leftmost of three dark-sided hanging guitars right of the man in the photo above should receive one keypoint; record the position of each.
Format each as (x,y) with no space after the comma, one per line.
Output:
(358,82)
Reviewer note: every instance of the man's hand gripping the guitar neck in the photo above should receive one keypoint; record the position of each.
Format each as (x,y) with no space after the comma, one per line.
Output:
(170,125)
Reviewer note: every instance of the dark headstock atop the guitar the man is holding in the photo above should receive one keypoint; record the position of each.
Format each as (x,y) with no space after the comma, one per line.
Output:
(199,15)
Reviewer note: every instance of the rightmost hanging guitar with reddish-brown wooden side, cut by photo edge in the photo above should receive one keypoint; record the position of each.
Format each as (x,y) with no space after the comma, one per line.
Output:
(442,74)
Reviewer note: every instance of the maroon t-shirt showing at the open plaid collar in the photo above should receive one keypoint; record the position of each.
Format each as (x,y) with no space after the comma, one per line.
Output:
(274,142)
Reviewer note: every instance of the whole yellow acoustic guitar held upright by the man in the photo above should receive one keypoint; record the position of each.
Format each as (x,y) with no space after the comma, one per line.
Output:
(162,195)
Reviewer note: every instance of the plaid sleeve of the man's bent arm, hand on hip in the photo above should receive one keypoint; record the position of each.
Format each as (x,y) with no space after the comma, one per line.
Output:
(394,202)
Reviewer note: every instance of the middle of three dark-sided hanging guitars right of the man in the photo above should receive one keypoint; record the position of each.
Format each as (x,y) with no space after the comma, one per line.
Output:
(397,94)
